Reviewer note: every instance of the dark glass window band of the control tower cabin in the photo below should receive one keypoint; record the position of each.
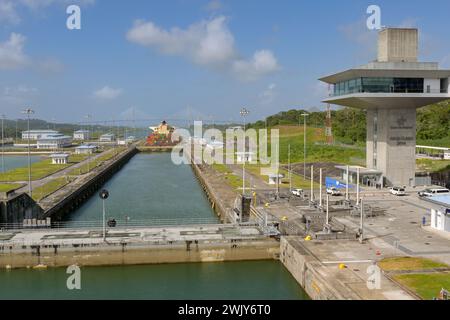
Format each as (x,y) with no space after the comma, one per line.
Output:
(379,85)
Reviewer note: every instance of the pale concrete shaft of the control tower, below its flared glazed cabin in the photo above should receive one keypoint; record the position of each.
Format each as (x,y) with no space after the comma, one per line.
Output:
(391,140)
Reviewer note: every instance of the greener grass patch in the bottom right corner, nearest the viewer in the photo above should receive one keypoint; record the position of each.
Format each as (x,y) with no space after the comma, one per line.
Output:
(427,286)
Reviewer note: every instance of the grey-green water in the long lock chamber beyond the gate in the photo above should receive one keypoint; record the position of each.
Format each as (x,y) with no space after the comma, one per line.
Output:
(149,187)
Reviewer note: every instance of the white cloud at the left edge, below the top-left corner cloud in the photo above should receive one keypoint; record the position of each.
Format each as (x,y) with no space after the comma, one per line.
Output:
(11,53)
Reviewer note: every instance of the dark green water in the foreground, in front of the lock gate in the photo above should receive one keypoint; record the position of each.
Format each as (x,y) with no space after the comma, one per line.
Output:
(234,280)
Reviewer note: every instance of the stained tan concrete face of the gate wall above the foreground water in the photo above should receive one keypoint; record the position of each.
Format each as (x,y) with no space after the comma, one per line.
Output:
(135,254)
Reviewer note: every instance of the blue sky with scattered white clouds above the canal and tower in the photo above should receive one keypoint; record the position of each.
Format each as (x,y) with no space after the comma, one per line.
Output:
(192,58)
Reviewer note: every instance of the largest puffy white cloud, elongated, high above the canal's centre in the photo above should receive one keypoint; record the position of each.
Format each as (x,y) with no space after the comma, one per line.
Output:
(208,43)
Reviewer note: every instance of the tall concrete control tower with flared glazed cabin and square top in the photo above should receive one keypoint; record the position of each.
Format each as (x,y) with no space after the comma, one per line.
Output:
(391,89)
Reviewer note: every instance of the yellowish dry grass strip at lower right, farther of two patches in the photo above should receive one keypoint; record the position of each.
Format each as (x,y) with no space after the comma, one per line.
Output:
(408,263)
